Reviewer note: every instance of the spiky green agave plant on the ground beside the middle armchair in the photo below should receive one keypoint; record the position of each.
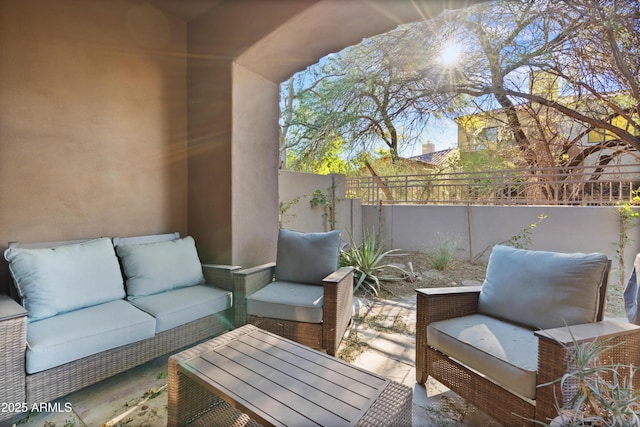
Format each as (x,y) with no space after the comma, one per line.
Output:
(369,261)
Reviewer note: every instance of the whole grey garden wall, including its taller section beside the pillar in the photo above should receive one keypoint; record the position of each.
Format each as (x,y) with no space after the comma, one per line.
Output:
(474,228)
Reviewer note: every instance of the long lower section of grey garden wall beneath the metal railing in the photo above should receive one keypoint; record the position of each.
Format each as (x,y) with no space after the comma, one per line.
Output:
(565,228)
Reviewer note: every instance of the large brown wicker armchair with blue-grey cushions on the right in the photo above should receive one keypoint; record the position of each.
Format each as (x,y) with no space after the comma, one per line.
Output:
(499,345)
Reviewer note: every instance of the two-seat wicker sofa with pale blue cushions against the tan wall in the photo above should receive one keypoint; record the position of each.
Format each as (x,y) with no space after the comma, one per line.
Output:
(93,309)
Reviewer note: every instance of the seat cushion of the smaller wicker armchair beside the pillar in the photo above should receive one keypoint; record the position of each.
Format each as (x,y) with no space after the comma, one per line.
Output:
(297,302)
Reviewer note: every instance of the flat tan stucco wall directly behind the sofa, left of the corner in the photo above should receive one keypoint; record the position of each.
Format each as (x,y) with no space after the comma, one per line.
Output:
(92,120)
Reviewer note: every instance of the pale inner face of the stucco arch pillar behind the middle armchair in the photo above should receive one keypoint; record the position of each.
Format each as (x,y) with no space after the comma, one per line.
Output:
(254,167)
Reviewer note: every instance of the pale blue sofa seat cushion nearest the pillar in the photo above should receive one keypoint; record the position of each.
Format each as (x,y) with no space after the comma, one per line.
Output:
(184,305)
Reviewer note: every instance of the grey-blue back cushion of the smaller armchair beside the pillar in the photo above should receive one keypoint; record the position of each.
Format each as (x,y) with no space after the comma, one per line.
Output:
(306,257)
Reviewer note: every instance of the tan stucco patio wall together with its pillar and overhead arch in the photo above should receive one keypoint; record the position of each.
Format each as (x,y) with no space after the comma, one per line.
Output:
(131,117)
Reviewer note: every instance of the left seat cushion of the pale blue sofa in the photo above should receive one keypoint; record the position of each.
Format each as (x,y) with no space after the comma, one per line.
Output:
(70,336)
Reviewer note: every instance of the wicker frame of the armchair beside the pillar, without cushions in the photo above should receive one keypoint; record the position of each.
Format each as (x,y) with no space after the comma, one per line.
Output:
(337,308)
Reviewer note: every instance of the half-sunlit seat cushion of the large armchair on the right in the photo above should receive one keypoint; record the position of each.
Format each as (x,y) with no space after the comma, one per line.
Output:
(504,352)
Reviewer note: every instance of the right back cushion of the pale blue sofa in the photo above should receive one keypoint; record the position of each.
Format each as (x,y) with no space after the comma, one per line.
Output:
(158,267)
